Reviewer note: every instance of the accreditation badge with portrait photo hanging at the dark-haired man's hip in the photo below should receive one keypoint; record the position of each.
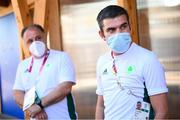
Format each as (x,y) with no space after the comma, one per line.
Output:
(142,110)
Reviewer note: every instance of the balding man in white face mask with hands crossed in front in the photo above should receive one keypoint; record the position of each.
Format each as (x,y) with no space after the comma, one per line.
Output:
(50,74)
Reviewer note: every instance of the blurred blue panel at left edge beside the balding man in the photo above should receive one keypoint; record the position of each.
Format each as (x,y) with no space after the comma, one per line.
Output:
(9,52)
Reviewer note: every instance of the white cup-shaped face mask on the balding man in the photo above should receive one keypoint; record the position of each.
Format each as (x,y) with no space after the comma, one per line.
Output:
(37,48)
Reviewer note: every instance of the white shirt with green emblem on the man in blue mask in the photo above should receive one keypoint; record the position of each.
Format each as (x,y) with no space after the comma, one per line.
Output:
(134,67)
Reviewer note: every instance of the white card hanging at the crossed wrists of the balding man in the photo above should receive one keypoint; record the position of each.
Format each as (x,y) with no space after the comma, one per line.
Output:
(29,98)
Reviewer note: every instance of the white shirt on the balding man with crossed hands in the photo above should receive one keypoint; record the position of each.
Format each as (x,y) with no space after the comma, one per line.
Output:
(57,69)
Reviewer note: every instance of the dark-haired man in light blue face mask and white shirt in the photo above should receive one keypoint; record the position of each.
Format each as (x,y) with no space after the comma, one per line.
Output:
(128,74)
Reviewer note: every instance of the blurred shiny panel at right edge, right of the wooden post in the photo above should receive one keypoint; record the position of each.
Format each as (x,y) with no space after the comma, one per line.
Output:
(159,26)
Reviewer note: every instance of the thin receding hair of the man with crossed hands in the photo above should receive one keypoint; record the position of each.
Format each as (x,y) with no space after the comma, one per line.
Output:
(37,26)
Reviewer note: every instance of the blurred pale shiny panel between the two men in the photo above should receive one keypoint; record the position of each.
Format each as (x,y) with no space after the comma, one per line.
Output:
(82,42)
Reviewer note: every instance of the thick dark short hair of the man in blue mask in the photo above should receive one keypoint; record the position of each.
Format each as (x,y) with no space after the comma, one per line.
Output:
(110,11)
